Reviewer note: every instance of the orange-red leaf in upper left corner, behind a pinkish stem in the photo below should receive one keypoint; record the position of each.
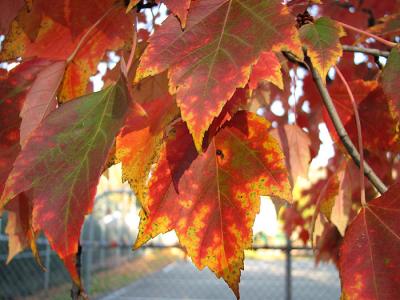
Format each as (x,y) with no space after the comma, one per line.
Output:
(83,53)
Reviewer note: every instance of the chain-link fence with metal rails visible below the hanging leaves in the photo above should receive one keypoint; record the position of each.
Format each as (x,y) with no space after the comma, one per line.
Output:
(111,270)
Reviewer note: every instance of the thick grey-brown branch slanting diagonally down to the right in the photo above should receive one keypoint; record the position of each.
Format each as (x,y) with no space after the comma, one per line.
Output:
(341,131)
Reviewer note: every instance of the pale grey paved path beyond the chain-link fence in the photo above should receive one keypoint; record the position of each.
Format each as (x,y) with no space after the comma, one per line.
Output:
(262,280)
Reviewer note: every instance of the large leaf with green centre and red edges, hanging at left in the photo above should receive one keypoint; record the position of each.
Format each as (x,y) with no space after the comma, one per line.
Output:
(61,164)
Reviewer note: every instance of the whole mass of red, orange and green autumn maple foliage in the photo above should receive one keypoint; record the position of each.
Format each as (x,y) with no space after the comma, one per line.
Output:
(190,112)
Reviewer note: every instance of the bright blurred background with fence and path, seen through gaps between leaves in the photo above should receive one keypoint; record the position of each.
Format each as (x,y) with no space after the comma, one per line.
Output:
(277,267)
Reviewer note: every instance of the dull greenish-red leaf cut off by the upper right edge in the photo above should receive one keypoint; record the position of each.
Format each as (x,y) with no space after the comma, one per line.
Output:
(390,77)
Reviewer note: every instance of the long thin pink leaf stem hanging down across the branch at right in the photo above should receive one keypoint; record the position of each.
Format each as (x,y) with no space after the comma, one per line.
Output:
(359,135)
